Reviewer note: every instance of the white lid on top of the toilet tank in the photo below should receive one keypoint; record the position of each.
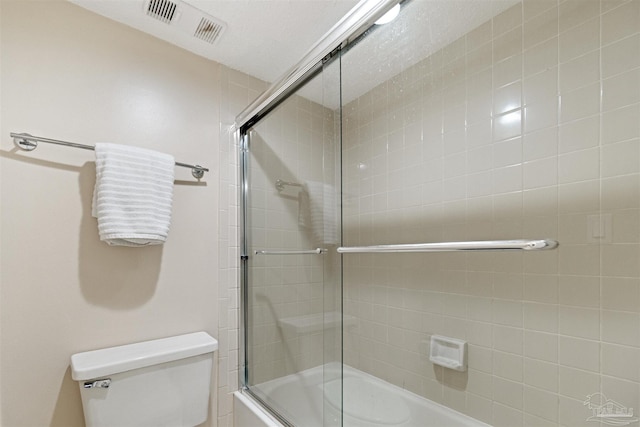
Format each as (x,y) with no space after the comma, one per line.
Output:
(113,360)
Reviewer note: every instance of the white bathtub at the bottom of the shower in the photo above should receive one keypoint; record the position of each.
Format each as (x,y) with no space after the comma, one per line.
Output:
(368,402)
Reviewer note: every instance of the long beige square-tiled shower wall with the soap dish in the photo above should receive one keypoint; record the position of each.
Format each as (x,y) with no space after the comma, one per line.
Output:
(527,127)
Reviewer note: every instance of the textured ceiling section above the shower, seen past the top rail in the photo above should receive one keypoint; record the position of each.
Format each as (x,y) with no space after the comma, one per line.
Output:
(422,28)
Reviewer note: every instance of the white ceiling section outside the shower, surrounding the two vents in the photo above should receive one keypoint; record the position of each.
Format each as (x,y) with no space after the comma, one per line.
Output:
(263,38)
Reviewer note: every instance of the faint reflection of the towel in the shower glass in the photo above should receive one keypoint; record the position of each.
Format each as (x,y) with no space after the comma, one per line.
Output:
(323,212)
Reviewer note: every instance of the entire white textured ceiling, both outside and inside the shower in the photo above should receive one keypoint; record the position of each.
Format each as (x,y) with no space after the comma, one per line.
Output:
(265,38)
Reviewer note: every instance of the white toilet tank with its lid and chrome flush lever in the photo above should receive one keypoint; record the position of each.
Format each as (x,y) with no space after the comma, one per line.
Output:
(157,383)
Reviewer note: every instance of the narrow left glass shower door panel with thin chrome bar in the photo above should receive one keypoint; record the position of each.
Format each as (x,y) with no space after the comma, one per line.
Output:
(290,268)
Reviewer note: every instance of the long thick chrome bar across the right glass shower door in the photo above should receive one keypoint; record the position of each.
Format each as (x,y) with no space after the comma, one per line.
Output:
(484,245)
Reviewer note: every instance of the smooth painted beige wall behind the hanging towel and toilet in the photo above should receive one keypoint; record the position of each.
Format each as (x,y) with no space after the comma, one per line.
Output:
(72,75)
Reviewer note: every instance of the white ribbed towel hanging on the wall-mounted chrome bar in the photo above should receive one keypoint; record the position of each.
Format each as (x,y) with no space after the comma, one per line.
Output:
(133,195)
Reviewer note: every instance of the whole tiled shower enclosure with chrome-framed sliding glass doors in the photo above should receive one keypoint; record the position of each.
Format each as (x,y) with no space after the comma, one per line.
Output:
(463,181)
